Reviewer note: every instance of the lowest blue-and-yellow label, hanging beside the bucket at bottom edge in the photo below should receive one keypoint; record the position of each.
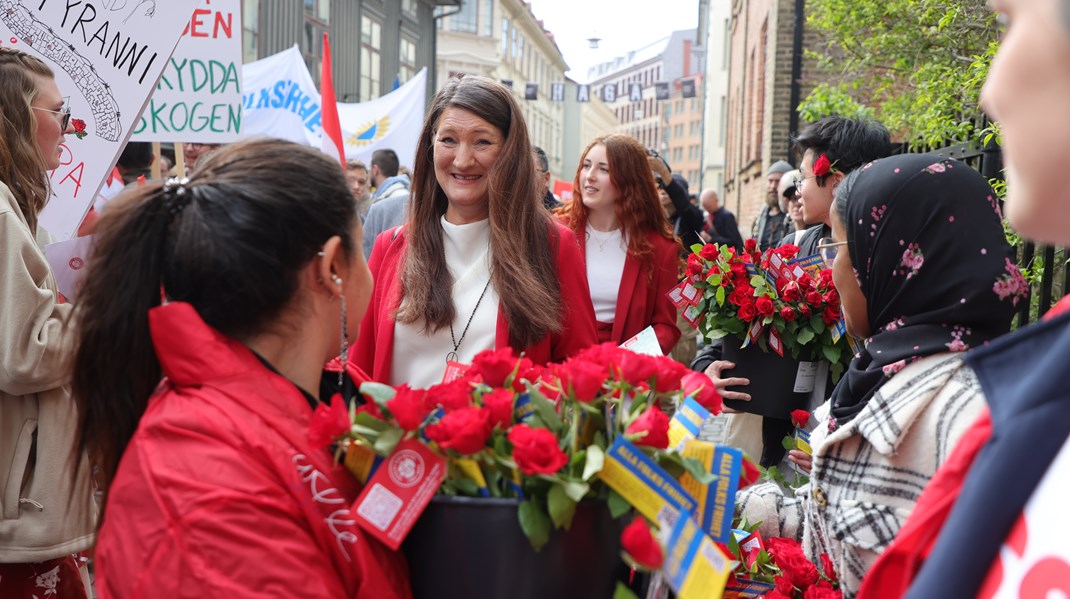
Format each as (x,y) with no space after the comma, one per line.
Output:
(695,566)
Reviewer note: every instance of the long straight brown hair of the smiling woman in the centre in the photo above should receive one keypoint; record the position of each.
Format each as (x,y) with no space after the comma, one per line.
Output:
(523,254)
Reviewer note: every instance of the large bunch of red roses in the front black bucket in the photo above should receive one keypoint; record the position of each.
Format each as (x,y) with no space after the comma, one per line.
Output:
(509,428)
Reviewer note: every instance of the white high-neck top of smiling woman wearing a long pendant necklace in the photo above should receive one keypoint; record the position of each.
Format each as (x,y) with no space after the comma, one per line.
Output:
(420,360)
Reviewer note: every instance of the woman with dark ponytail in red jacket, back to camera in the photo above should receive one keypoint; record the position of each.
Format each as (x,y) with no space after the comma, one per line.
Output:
(209,311)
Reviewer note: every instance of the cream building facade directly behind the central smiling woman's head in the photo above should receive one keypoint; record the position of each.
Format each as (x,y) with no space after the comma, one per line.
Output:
(503,40)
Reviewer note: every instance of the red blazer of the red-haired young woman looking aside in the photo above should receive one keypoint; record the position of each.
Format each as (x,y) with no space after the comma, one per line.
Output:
(644,299)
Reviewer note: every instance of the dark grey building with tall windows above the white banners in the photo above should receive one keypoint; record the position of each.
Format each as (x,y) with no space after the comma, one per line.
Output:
(374,43)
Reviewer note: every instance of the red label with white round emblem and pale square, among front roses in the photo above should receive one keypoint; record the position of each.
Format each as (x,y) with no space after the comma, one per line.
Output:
(400,492)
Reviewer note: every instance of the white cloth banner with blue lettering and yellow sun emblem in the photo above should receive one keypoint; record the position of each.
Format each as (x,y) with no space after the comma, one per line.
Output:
(282,101)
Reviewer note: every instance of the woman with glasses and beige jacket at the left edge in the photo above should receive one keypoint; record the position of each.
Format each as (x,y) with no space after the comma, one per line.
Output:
(47,514)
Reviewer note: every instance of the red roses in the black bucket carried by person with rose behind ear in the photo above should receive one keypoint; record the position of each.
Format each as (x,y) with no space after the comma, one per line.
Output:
(774,299)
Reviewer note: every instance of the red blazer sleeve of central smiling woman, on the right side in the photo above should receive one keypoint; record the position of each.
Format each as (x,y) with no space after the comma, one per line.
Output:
(579,313)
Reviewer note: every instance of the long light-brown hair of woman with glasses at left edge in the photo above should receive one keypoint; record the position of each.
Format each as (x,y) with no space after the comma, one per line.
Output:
(22,165)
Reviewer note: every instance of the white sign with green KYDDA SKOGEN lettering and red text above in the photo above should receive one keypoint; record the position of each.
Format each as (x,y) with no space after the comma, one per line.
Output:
(200,97)
